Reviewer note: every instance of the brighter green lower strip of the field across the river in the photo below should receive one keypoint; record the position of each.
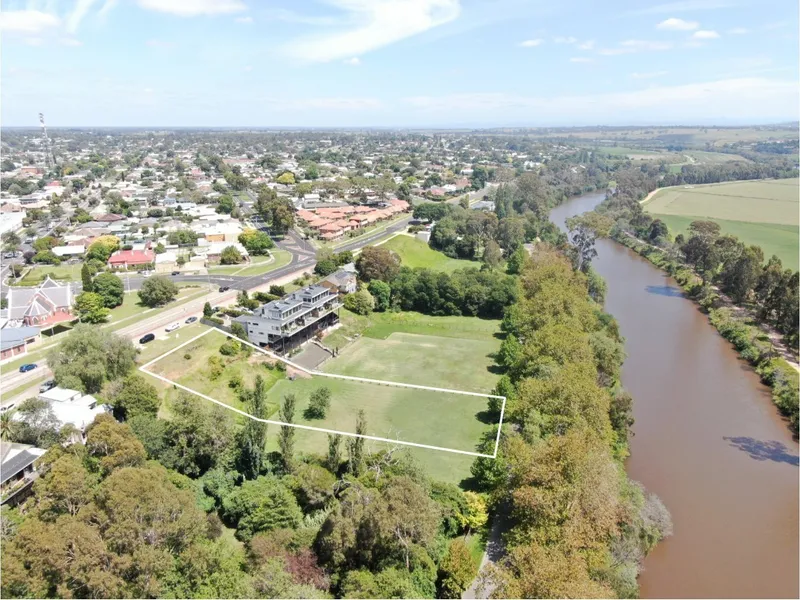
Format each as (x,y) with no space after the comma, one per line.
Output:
(781,240)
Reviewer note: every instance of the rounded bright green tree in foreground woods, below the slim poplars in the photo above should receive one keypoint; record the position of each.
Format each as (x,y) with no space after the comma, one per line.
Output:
(262,504)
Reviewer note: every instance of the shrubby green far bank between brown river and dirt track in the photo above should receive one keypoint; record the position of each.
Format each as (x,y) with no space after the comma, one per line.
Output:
(761,346)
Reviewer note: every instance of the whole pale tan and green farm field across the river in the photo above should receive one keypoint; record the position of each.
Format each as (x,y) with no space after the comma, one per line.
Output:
(764,213)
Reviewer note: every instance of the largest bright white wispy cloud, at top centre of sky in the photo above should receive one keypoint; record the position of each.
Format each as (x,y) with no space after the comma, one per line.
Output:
(375,24)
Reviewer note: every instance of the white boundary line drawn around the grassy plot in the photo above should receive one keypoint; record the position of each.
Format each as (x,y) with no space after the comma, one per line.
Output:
(144,367)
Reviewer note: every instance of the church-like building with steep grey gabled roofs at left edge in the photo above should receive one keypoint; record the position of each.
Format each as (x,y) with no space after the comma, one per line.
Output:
(42,306)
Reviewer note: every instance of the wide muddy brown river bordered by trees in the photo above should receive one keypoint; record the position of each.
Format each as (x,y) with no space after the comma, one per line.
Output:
(708,440)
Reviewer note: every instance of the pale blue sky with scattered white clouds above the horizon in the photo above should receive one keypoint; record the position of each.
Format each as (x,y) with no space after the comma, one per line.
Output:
(398,63)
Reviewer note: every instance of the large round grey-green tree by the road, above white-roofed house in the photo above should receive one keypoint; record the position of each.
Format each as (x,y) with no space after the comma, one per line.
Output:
(91,356)
